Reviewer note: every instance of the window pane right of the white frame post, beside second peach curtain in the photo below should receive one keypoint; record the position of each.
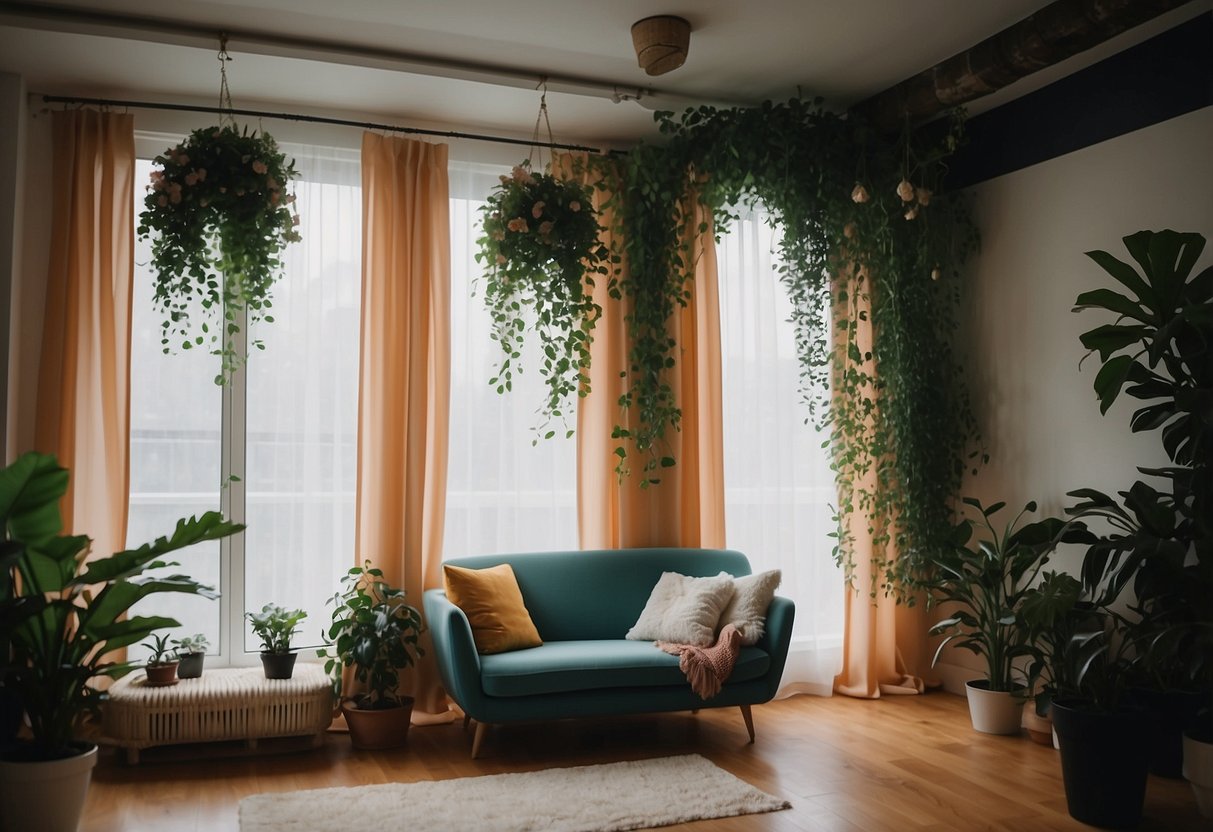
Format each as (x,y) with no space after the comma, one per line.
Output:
(303,406)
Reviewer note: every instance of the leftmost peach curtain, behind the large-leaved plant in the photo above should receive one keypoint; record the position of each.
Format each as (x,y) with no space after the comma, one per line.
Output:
(84,374)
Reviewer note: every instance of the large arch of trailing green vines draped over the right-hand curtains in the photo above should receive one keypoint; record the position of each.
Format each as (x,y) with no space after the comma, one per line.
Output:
(848,203)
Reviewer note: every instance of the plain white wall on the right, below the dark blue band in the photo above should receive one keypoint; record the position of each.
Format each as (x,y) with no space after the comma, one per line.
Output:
(1038,409)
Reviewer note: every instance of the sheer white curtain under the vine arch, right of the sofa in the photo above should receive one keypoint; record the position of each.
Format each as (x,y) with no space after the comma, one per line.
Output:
(778,485)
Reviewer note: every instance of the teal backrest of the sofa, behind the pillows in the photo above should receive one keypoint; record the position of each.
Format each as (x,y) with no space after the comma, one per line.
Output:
(600,594)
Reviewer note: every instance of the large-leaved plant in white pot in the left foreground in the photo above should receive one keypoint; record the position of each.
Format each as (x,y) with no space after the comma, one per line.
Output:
(62,618)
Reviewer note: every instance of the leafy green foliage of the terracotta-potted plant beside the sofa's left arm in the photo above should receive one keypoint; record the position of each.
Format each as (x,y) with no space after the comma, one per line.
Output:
(377,632)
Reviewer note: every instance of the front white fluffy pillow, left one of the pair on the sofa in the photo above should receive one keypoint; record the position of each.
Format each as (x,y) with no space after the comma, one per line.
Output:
(684,609)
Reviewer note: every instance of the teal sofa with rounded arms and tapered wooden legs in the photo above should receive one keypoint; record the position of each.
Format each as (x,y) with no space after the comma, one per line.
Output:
(583,603)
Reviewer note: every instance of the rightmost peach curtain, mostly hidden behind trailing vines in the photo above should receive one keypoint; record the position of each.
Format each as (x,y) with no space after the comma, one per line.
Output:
(885,645)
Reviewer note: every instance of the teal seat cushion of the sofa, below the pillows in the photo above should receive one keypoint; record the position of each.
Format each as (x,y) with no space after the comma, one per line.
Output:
(565,666)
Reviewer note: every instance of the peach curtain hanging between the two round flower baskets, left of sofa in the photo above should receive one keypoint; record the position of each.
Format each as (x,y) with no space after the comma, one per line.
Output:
(405,378)
